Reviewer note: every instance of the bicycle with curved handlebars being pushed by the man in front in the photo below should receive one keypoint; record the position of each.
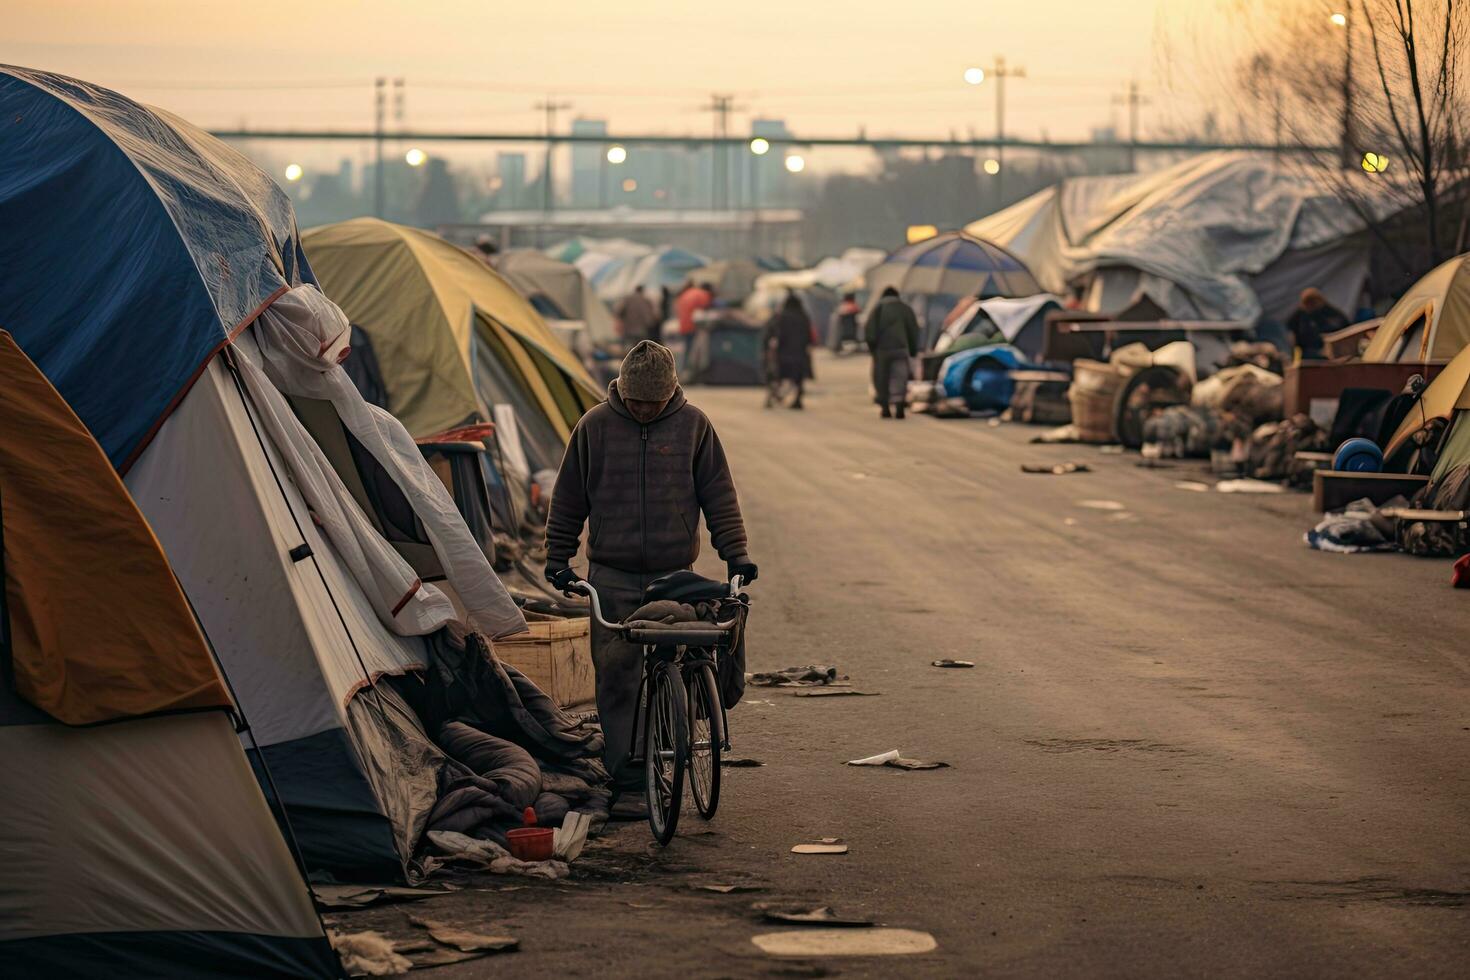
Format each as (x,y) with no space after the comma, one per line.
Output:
(678,696)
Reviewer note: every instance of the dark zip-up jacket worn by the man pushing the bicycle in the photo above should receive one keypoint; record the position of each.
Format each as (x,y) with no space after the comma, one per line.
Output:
(642,489)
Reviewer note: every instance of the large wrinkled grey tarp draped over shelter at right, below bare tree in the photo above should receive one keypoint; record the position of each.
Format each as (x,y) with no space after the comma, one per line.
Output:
(1221,236)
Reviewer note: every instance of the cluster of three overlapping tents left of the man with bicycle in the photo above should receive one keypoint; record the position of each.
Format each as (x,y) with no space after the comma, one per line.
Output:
(220,536)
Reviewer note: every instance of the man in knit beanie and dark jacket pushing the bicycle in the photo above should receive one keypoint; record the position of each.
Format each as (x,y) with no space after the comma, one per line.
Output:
(639,472)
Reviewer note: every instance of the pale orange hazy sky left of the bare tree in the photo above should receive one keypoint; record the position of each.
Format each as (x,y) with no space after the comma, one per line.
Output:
(646,65)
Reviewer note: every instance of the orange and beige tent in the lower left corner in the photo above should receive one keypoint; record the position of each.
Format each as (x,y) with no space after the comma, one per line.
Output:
(135,834)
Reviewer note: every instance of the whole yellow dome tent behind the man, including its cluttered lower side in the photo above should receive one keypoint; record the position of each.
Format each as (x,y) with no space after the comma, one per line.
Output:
(459,347)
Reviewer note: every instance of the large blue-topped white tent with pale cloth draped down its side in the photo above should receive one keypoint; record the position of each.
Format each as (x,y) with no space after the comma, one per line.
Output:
(306,605)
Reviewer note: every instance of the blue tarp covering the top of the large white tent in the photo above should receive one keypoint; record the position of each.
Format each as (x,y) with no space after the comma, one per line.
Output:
(133,248)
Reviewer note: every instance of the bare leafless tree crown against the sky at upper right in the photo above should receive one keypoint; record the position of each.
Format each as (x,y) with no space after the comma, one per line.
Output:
(1366,95)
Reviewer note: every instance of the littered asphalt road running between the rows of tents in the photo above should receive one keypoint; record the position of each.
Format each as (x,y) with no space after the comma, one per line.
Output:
(1190,746)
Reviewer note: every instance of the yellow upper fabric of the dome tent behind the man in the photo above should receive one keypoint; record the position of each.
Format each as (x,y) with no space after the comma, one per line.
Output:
(437,317)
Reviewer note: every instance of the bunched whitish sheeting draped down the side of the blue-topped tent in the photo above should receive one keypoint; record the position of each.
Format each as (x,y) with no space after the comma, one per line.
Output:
(304,337)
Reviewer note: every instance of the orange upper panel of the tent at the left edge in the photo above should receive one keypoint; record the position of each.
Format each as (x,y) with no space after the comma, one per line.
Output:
(99,627)
